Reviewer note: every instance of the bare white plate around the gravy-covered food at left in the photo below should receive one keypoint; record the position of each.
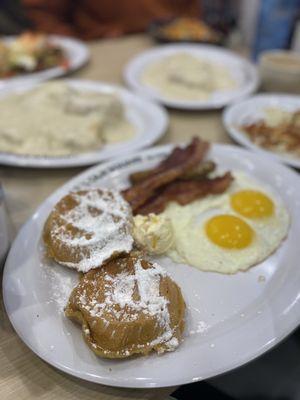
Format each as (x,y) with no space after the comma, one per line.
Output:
(149,119)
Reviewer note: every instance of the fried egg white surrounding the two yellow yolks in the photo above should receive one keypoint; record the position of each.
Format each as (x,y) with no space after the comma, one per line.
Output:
(193,247)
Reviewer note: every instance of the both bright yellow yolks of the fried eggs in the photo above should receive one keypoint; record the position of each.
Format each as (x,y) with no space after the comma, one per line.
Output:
(231,232)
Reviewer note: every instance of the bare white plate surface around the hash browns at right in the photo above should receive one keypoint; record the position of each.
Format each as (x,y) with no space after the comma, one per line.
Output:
(250,110)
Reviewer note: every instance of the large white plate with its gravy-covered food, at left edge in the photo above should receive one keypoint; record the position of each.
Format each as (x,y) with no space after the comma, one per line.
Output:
(74,123)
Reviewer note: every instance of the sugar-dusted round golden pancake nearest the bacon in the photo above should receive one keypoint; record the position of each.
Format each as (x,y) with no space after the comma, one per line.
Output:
(87,228)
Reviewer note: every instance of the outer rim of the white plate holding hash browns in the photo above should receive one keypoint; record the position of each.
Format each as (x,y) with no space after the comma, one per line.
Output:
(240,138)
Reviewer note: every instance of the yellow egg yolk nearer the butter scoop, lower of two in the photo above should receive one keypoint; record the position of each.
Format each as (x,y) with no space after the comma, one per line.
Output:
(229,231)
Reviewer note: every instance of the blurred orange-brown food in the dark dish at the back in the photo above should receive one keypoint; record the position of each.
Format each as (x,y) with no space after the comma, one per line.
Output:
(186,29)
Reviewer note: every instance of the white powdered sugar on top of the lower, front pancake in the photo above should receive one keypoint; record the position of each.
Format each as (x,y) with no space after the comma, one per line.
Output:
(145,284)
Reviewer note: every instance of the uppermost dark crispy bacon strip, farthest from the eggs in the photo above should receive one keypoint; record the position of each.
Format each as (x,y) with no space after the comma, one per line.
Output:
(180,161)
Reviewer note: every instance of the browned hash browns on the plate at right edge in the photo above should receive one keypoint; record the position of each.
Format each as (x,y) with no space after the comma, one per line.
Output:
(278,130)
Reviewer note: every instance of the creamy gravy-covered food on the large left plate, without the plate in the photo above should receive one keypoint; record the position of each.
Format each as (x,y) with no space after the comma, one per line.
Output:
(55,119)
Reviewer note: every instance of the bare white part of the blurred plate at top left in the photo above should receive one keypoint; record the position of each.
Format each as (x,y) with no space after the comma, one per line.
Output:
(77,54)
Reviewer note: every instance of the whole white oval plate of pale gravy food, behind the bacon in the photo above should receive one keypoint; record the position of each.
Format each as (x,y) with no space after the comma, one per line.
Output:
(189,76)
